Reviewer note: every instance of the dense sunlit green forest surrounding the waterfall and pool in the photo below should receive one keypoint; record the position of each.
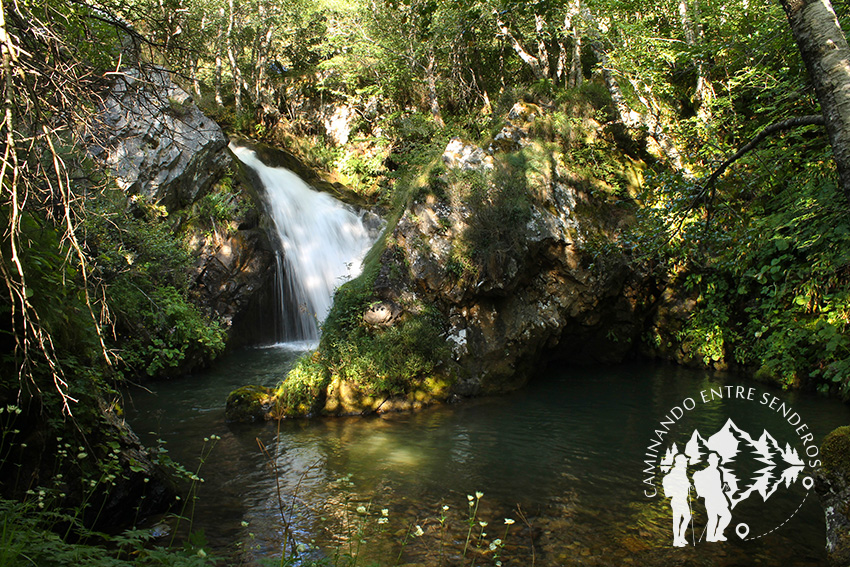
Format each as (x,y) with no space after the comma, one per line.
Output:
(719,130)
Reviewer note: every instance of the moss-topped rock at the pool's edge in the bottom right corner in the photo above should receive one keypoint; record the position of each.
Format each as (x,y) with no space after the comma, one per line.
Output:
(832,484)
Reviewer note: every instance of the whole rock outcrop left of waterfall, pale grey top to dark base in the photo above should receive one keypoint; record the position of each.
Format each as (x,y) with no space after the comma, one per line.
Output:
(161,149)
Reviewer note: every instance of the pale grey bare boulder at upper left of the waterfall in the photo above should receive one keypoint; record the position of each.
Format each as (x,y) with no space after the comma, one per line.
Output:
(156,142)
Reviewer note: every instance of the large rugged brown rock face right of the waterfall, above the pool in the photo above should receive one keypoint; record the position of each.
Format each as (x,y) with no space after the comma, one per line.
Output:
(515,289)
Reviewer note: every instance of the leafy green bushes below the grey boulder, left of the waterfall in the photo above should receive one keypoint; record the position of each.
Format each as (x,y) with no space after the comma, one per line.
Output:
(144,268)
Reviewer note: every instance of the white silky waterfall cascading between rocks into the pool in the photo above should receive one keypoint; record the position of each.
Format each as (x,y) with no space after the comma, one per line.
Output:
(323,243)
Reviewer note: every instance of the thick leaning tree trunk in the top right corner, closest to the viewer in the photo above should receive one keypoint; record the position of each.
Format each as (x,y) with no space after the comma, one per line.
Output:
(827,57)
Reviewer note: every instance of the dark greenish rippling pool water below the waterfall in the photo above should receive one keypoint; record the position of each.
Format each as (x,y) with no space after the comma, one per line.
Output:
(566,452)
